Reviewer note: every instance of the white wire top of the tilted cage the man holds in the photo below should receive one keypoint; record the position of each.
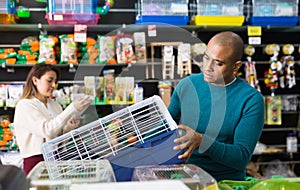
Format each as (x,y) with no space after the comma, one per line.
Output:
(110,135)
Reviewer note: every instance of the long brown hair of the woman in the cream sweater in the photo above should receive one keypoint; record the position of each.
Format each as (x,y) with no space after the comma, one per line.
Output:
(37,71)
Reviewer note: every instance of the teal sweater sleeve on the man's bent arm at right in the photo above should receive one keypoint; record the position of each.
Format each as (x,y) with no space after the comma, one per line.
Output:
(247,133)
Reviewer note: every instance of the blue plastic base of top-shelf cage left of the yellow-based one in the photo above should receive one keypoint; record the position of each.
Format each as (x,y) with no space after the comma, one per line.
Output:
(174,20)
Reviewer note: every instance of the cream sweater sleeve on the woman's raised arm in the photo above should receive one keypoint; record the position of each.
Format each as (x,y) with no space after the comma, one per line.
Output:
(30,116)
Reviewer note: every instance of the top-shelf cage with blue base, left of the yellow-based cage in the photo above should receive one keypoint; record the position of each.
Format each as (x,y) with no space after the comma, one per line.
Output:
(163,11)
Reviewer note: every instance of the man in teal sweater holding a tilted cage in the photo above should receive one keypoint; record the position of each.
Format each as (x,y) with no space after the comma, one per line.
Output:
(220,115)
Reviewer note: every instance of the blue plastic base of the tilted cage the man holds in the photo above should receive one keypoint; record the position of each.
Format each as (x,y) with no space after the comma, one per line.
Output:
(157,151)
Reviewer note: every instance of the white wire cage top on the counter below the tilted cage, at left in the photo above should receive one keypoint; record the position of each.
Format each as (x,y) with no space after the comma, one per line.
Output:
(61,174)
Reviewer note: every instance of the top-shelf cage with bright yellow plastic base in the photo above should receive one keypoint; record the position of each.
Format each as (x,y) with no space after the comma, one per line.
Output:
(219,13)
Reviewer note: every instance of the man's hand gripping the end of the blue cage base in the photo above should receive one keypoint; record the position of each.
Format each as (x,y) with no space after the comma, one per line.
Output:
(189,141)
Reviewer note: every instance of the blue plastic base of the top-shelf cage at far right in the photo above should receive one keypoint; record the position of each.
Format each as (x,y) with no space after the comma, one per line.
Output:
(274,20)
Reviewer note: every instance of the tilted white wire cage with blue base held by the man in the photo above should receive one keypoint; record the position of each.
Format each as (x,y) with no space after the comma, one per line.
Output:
(140,134)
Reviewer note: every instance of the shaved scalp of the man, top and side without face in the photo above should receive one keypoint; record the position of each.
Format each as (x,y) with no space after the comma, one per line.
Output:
(232,40)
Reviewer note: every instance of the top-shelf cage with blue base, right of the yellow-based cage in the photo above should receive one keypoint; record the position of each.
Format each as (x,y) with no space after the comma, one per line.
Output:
(274,13)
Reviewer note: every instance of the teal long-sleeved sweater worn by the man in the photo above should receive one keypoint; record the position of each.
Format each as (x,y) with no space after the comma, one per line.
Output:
(230,118)
